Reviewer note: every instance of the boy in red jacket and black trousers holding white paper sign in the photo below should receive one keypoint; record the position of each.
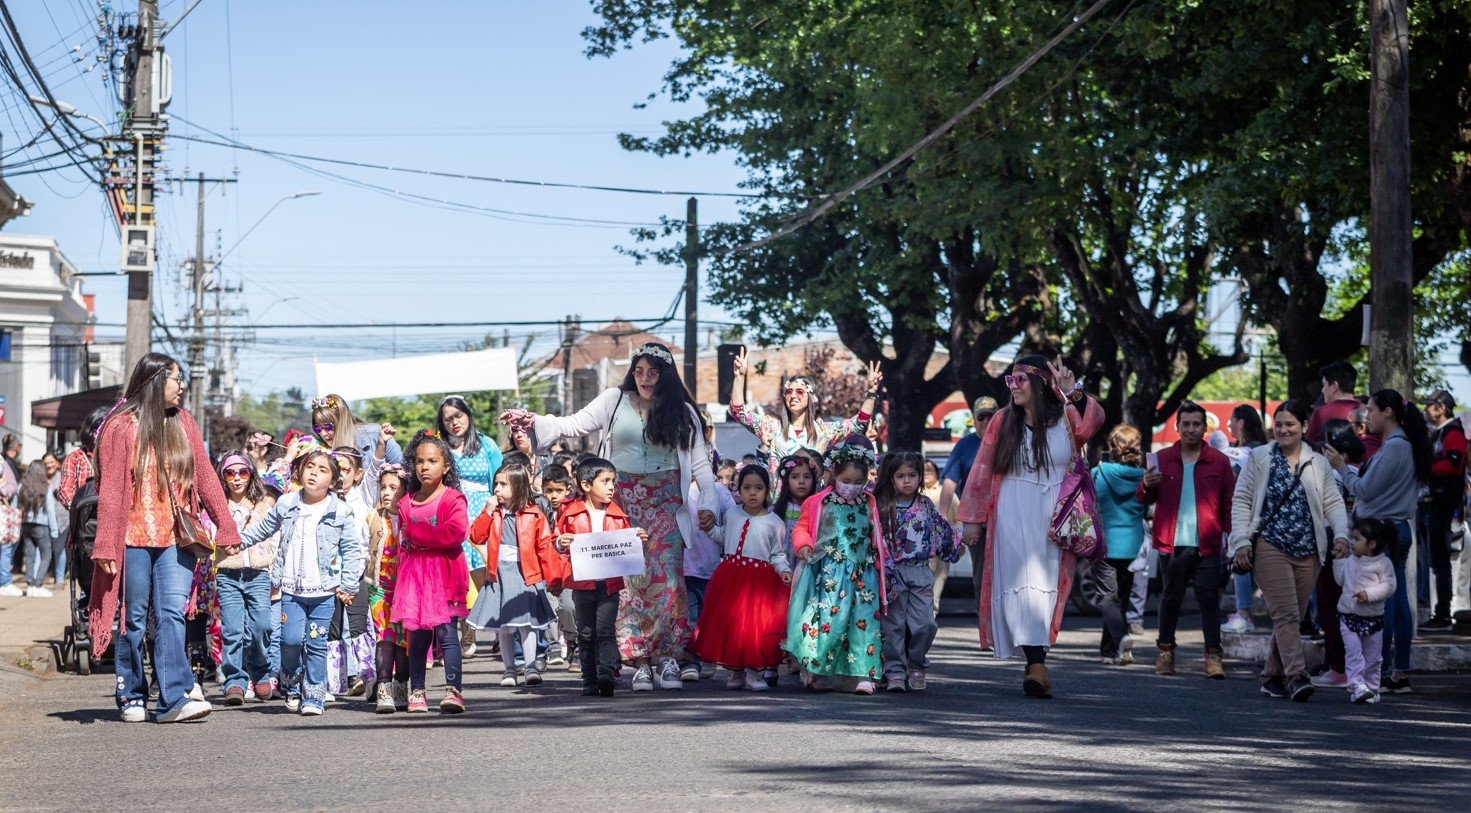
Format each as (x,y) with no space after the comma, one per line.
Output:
(595,604)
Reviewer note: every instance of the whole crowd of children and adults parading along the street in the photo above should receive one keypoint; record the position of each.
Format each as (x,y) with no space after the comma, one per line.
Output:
(339,564)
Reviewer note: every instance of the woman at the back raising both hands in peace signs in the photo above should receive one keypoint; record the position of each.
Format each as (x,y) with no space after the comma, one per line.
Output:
(799,426)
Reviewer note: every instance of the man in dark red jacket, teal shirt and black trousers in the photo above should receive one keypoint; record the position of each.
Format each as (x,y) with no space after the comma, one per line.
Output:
(1191,487)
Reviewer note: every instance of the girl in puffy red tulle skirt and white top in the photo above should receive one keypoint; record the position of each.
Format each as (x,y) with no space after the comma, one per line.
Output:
(745,615)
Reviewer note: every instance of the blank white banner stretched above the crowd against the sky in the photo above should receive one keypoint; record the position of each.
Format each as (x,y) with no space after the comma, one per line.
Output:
(417,376)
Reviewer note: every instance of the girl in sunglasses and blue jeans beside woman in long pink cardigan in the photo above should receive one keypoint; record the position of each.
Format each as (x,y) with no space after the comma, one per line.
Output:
(243,586)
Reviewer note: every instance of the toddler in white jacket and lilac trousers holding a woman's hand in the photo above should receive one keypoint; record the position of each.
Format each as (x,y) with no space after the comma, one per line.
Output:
(1369,581)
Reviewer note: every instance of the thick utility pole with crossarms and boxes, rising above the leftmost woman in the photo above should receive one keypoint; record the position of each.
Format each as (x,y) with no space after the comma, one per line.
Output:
(146,127)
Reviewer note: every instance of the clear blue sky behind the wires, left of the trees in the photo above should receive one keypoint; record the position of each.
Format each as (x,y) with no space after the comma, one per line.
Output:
(494,87)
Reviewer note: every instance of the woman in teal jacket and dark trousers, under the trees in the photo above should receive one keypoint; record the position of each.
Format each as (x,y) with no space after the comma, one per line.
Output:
(1117,480)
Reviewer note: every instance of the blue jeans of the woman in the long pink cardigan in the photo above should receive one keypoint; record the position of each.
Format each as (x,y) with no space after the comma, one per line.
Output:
(163,577)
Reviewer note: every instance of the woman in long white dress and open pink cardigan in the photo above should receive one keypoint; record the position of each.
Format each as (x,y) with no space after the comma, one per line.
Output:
(1013,490)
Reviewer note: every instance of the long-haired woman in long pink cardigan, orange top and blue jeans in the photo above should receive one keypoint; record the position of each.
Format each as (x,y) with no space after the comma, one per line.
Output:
(152,459)
